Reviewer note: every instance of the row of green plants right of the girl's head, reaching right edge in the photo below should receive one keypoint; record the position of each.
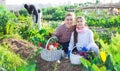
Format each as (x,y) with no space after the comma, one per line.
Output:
(105,22)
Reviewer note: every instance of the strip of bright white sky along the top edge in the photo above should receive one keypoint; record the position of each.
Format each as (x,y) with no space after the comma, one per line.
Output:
(19,2)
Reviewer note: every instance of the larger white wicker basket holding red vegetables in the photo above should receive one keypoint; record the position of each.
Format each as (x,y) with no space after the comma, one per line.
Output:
(51,55)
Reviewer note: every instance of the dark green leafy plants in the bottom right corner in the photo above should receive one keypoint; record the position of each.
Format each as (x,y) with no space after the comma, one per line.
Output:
(97,65)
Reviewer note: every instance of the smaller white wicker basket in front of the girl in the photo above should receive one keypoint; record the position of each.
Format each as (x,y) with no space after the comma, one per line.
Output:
(74,58)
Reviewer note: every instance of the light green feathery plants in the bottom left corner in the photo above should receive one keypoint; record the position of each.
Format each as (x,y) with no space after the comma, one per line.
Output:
(9,60)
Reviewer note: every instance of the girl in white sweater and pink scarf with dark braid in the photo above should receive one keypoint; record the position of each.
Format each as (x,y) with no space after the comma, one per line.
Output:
(82,37)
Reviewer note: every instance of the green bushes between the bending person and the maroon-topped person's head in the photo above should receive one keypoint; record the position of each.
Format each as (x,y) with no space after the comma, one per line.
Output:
(56,13)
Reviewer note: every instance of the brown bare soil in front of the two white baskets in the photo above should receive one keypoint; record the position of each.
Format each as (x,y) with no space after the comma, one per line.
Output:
(64,65)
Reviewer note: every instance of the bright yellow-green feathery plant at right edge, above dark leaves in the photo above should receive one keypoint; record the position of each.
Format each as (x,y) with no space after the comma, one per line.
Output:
(113,47)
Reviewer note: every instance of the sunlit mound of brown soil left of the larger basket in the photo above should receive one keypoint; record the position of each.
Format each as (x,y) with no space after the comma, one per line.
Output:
(23,48)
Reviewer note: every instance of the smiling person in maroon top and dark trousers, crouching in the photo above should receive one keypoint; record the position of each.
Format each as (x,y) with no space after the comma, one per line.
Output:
(64,31)
